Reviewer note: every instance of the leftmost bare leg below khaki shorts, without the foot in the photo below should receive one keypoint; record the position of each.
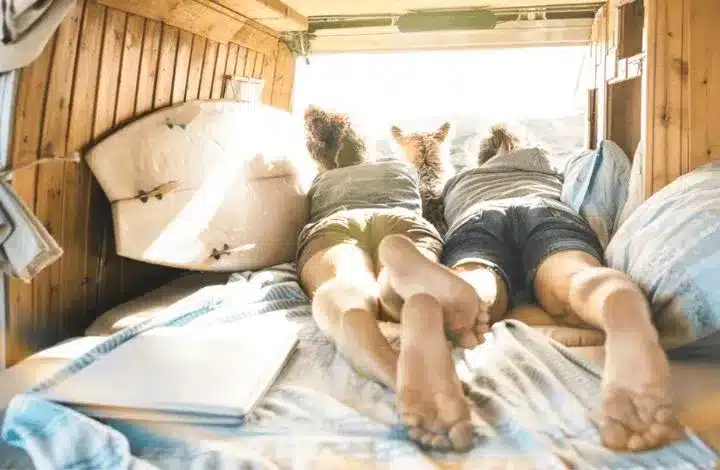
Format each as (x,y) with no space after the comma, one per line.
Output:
(345,307)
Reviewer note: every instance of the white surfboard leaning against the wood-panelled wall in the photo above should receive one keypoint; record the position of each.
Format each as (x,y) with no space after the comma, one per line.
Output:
(207,185)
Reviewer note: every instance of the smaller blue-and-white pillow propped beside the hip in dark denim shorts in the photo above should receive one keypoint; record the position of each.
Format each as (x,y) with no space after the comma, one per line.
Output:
(596,186)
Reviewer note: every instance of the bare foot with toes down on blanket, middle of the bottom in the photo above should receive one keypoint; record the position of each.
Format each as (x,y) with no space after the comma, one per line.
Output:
(430,395)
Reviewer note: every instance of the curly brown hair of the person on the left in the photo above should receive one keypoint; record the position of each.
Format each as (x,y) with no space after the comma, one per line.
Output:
(331,139)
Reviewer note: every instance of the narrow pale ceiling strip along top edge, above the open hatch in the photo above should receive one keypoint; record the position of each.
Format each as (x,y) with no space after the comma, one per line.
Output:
(310,8)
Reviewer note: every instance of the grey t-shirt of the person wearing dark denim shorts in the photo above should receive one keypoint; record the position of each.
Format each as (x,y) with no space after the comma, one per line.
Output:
(524,173)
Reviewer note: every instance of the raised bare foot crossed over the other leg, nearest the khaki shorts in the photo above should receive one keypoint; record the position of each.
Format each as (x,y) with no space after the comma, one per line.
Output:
(466,321)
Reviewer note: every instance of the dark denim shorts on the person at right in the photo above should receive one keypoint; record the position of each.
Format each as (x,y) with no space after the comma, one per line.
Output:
(514,236)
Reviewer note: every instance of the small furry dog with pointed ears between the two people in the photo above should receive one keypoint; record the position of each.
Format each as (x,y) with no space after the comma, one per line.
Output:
(424,150)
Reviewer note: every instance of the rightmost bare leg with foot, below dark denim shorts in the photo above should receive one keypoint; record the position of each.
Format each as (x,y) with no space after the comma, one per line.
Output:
(636,410)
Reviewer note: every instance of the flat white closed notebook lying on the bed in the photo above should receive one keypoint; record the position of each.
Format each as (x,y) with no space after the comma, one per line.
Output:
(210,375)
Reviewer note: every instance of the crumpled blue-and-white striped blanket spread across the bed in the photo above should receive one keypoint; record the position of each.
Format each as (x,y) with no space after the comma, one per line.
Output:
(532,398)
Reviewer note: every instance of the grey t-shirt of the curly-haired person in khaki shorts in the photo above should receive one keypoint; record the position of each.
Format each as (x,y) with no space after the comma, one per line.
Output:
(376,185)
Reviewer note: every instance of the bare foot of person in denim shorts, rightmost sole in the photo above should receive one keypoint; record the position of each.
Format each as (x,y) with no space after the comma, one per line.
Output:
(636,411)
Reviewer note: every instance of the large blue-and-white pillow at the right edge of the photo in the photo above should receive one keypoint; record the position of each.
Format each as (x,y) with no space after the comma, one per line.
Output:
(670,245)
